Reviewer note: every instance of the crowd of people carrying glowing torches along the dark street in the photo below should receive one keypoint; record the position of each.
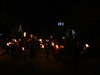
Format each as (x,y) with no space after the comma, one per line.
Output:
(75,48)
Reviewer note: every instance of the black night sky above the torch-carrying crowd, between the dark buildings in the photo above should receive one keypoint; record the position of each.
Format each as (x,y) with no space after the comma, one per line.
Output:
(40,14)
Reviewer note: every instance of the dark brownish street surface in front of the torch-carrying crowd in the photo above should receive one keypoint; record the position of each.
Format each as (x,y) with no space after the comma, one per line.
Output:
(20,65)
